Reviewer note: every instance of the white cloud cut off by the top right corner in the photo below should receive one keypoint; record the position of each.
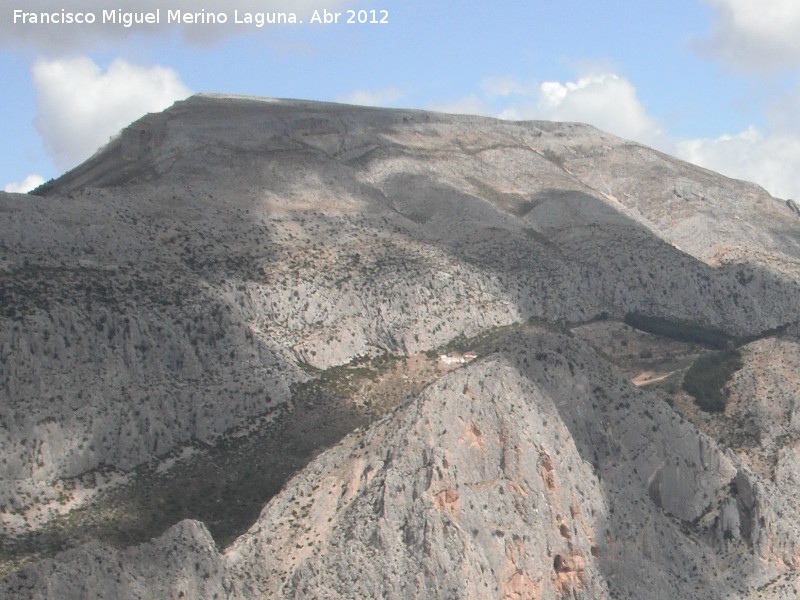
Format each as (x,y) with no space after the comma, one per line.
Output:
(755,35)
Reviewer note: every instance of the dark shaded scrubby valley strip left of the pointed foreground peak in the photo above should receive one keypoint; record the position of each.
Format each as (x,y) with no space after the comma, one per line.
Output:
(224,485)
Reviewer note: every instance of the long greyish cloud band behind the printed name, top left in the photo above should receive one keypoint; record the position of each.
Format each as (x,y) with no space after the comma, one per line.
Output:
(81,36)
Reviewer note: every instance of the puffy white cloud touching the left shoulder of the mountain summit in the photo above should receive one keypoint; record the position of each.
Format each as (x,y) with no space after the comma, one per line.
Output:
(80,106)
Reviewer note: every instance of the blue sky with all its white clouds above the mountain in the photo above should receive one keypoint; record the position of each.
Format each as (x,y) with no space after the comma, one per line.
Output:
(714,82)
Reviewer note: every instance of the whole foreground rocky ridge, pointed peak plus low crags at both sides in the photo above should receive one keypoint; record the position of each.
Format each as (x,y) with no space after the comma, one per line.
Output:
(533,473)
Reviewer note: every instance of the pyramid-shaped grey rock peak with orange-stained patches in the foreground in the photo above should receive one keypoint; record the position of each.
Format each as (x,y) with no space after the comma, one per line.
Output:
(441,500)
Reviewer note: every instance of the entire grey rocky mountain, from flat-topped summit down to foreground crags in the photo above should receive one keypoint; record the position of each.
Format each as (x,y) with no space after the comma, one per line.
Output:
(449,356)
